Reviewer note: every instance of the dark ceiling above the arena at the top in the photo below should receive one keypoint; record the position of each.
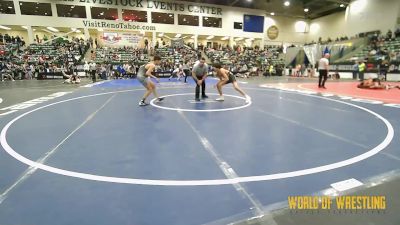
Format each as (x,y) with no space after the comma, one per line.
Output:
(317,8)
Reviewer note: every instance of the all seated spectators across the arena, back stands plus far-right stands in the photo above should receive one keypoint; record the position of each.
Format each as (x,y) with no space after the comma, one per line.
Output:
(60,54)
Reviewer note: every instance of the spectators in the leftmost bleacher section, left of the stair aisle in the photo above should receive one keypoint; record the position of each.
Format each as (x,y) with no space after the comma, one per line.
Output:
(35,61)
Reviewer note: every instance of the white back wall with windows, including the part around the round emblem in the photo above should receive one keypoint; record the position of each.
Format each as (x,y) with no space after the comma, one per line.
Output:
(229,16)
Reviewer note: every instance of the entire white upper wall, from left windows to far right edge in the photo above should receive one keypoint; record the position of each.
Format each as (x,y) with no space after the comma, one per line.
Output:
(360,16)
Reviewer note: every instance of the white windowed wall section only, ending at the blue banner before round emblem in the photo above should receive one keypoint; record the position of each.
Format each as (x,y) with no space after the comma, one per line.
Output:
(229,15)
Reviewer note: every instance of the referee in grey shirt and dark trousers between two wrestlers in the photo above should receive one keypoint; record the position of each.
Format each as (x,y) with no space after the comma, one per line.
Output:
(199,74)
